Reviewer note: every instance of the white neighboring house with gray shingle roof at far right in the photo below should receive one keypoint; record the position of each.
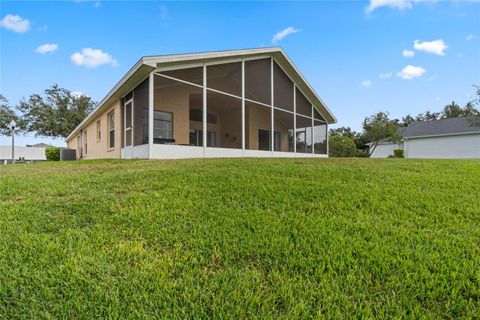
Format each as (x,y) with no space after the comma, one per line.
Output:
(446,138)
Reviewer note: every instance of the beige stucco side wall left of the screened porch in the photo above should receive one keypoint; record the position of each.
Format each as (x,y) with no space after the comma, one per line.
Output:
(98,149)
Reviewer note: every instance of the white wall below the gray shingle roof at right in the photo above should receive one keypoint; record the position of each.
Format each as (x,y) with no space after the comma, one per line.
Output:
(459,146)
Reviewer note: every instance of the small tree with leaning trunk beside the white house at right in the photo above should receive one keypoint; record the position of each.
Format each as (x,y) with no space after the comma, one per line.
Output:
(378,127)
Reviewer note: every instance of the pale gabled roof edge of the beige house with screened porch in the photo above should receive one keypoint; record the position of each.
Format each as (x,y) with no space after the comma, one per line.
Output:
(149,63)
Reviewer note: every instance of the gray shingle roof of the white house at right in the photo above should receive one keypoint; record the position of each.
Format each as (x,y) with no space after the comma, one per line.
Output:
(440,127)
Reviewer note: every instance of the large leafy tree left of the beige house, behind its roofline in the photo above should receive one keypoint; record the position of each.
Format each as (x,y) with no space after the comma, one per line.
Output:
(56,114)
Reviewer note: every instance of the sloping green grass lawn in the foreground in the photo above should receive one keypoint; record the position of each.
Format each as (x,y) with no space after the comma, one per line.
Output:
(242,238)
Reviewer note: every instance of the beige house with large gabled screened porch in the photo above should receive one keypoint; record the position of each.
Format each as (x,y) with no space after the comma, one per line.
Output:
(236,103)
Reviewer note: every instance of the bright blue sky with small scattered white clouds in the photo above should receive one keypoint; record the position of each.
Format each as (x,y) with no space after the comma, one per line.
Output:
(352,52)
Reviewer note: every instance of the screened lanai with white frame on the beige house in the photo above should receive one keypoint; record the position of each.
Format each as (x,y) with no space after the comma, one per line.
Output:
(221,108)
